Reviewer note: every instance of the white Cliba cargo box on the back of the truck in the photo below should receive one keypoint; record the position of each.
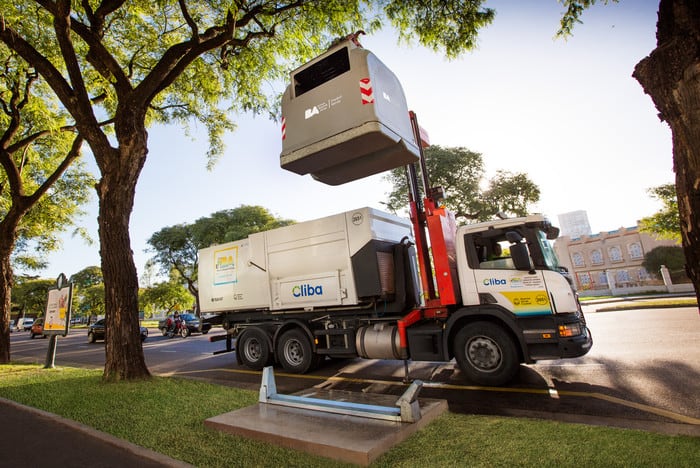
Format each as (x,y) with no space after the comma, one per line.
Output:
(305,265)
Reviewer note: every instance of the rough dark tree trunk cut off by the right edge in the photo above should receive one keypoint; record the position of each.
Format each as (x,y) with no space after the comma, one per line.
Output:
(671,76)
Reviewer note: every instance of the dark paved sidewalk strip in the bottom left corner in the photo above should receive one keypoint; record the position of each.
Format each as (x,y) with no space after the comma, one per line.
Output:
(31,437)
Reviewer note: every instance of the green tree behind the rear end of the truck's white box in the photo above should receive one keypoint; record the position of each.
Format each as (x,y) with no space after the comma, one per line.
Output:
(176,247)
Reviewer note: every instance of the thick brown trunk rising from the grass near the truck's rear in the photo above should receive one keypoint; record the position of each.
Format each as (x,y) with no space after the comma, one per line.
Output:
(116,190)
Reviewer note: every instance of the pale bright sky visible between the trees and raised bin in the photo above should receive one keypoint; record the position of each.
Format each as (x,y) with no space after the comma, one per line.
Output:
(566,112)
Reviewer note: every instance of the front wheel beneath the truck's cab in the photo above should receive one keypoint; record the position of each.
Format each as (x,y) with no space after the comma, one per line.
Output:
(486,354)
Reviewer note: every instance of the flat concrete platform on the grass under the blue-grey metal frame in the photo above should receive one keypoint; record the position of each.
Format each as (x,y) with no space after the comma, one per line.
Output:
(341,437)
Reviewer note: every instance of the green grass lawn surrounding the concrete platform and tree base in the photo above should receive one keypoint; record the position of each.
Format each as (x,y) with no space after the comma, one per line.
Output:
(167,414)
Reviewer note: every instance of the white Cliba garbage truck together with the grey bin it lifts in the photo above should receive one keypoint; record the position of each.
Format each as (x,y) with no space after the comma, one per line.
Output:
(370,284)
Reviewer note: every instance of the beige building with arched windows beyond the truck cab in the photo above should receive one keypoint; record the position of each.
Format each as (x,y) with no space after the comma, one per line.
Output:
(608,261)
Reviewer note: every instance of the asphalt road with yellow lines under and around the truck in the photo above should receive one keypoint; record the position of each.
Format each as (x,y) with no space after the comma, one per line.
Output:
(643,371)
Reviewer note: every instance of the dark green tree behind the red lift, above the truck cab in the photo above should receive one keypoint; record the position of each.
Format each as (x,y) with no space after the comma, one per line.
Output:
(459,172)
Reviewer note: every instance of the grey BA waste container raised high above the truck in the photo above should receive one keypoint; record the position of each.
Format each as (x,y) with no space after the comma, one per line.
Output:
(345,117)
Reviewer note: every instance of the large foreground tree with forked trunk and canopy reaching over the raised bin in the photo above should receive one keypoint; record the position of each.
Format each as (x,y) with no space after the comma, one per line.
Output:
(140,61)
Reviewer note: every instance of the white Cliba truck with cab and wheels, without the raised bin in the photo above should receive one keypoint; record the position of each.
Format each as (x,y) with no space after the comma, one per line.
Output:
(348,285)
